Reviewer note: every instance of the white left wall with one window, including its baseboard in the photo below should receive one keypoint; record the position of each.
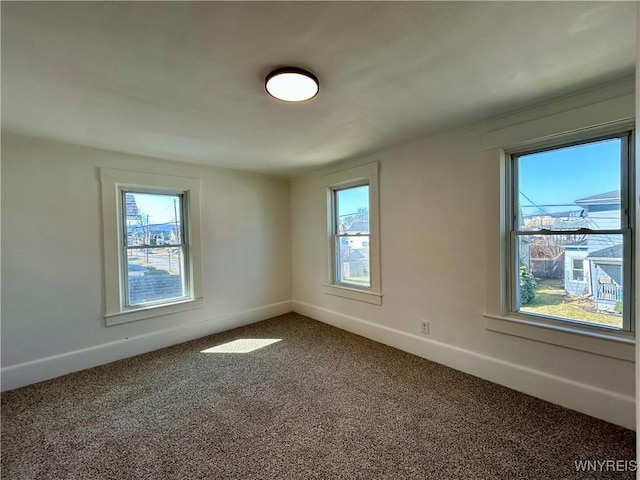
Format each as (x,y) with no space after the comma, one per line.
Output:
(53,292)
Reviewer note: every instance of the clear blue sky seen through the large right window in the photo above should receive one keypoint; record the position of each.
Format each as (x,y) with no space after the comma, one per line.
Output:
(562,176)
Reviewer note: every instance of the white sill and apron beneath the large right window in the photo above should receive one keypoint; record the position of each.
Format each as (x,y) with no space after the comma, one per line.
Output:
(609,344)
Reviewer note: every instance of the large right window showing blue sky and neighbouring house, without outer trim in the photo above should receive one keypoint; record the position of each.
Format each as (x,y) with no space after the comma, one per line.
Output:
(570,228)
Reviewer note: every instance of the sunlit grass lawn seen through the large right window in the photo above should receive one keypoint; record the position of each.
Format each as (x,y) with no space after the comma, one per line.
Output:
(551,300)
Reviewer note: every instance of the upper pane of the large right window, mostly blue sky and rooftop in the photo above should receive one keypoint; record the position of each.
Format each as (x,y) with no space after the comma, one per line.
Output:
(570,188)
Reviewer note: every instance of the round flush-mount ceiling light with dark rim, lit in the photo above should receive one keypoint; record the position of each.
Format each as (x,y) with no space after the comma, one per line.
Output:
(291,84)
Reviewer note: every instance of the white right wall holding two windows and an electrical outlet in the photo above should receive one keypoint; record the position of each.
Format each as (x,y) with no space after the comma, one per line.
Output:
(440,214)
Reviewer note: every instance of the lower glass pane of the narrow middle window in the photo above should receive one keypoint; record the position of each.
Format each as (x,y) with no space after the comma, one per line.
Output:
(352,260)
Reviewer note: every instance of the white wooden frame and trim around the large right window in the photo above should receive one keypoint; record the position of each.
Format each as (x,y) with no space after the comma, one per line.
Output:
(498,317)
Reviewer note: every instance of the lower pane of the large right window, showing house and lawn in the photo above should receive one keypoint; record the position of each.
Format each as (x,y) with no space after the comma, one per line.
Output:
(572,278)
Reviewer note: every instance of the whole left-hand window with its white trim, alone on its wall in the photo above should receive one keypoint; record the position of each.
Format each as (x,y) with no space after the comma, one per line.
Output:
(151,244)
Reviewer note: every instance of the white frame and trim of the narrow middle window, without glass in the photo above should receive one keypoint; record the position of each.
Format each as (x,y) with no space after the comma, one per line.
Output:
(353,177)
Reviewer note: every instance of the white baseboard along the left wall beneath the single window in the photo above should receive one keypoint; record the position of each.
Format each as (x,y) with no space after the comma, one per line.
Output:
(22,374)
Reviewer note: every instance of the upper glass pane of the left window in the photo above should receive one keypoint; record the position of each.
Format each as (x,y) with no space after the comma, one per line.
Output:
(153,219)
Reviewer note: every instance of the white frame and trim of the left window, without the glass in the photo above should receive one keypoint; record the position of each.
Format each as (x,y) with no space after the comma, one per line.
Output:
(114,183)
